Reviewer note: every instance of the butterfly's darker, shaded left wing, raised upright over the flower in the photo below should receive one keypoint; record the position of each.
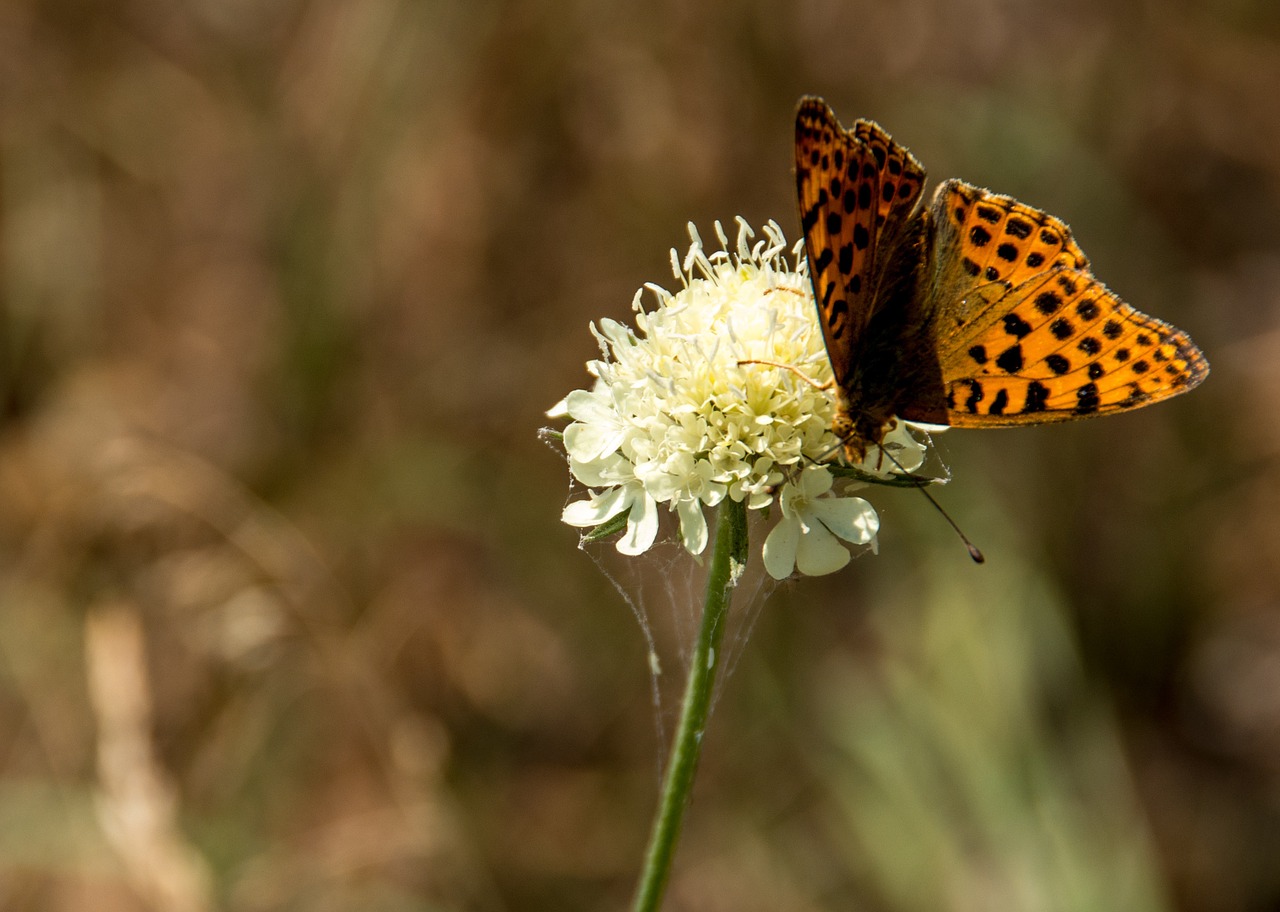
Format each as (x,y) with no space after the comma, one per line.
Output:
(857,190)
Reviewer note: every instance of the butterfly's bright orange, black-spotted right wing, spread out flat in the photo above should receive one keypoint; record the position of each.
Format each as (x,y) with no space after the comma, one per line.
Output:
(1026,334)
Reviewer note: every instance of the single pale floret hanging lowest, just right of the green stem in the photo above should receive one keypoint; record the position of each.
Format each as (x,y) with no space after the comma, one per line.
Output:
(806,536)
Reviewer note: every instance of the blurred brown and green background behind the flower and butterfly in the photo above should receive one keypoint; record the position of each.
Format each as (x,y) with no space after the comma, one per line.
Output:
(287,615)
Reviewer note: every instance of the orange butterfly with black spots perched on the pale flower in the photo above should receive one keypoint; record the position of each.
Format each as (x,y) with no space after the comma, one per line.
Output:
(977,312)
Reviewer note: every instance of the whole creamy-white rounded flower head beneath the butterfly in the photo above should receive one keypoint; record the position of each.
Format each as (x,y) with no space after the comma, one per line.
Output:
(719,393)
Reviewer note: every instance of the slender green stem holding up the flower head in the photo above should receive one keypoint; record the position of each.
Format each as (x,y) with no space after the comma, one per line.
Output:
(679,783)
